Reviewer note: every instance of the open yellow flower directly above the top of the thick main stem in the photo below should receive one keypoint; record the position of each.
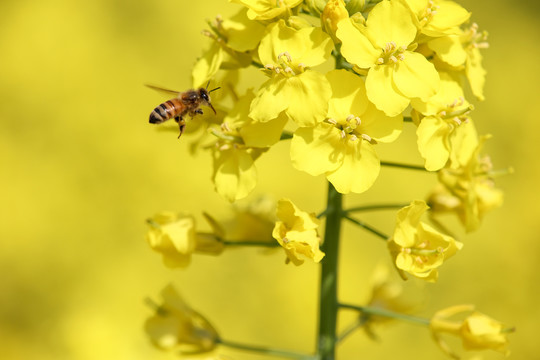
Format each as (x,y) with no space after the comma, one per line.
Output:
(342,146)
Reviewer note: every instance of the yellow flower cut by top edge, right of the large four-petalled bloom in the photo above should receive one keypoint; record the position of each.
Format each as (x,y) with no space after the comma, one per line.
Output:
(438,17)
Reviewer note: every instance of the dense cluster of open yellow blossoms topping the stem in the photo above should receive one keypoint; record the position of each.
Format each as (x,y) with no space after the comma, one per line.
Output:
(399,58)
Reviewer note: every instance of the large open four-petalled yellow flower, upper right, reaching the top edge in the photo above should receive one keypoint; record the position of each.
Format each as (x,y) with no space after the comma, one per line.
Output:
(385,46)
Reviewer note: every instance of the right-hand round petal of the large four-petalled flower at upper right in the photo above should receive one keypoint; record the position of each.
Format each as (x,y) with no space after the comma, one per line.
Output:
(416,77)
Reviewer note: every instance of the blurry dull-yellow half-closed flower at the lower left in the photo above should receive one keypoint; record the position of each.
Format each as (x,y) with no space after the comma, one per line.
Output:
(175,326)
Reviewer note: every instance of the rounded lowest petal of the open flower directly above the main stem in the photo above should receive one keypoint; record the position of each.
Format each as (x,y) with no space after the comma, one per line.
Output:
(359,169)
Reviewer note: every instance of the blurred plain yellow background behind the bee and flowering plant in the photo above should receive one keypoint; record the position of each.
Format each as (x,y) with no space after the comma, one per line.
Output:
(81,170)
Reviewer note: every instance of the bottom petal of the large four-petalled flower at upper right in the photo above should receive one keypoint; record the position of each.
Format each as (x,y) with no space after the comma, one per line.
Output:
(381,91)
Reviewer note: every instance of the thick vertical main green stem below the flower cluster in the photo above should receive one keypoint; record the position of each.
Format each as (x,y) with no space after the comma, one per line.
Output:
(328,302)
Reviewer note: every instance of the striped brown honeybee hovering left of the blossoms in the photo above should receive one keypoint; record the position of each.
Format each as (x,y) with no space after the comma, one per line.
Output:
(185,103)
